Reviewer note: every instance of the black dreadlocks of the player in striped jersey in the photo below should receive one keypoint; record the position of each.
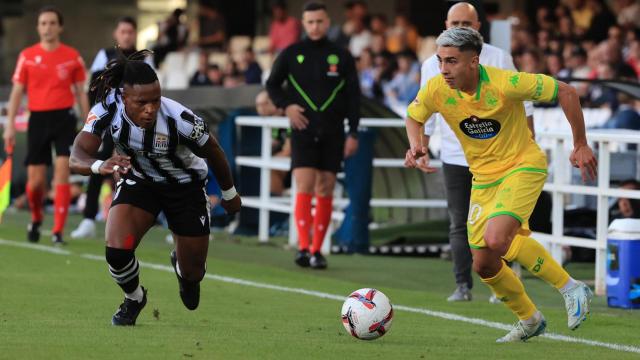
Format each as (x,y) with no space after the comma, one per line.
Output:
(123,70)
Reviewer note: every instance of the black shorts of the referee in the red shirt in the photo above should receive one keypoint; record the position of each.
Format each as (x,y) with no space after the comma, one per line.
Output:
(47,128)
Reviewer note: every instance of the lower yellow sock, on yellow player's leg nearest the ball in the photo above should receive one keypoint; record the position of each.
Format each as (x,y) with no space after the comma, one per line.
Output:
(509,289)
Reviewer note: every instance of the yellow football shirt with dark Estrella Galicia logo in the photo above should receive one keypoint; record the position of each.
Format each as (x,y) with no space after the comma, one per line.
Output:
(489,124)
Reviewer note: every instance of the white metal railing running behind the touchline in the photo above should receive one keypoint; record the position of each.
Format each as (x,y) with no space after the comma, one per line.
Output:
(557,142)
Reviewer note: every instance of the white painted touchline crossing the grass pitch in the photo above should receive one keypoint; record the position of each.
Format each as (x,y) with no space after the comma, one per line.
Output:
(323,295)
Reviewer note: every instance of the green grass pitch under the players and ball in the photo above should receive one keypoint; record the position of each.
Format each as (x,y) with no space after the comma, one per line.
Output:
(59,306)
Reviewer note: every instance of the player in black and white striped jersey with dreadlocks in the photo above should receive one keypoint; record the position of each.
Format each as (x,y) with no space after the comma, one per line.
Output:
(163,150)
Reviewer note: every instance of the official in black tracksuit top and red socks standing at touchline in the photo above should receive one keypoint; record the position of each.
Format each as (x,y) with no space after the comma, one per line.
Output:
(322,90)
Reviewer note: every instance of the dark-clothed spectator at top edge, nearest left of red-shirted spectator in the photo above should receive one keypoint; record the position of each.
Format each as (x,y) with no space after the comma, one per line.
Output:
(212,27)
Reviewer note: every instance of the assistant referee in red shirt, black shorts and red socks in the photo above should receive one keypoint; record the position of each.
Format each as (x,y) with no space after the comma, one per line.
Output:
(48,71)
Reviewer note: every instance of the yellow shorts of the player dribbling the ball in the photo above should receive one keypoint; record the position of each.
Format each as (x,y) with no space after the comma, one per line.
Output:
(515,194)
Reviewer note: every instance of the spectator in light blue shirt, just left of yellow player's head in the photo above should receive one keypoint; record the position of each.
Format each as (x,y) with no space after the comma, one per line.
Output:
(404,85)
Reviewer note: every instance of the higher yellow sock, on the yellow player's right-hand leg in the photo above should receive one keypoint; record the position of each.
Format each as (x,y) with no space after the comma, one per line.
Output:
(535,258)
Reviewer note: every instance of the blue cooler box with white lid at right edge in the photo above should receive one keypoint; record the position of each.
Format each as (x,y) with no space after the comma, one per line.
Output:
(623,264)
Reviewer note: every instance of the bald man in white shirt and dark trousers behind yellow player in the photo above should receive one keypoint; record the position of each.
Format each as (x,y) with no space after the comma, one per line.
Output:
(457,177)
